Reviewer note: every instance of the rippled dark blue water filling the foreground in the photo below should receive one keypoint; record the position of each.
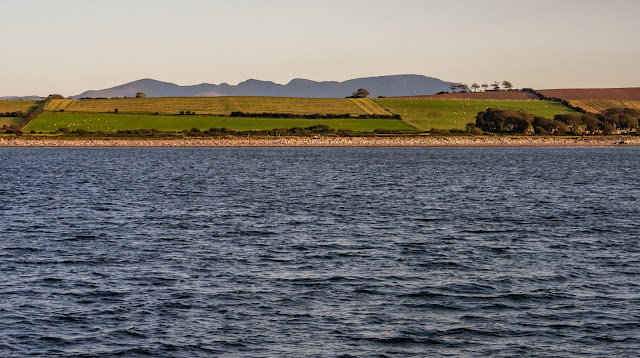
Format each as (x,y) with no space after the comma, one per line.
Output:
(319,252)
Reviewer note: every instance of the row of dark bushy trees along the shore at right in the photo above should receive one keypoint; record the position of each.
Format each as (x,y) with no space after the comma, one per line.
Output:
(610,121)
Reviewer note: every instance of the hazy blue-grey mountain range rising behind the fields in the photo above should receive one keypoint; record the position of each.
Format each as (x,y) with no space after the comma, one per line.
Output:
(397,85)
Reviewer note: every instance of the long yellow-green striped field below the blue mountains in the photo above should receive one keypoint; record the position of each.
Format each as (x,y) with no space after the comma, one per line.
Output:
(220,105)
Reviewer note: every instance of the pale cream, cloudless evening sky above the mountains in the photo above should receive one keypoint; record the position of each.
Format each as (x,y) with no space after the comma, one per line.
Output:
(69,46)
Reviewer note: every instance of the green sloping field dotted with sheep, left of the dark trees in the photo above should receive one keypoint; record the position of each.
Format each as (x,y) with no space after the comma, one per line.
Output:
(455,114)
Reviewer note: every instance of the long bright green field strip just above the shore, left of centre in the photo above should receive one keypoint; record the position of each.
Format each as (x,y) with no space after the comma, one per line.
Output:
(49,122)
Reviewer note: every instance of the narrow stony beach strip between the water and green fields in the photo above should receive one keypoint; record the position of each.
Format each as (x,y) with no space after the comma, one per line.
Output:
(426,141)
